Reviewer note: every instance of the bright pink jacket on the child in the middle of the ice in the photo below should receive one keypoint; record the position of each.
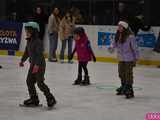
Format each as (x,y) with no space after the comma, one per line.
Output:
(84,53)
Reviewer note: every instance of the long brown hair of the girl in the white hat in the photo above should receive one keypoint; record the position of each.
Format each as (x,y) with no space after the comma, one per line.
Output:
(124,35)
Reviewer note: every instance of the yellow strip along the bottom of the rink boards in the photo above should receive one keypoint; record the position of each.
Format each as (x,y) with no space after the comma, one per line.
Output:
(99,59)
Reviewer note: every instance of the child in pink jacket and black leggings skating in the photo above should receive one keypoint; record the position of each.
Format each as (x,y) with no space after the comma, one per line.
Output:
(84,55)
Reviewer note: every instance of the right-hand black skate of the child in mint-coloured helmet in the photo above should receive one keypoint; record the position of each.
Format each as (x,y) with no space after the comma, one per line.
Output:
(51,101)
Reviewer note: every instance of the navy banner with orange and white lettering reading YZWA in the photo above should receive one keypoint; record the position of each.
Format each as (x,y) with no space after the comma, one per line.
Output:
(10,35)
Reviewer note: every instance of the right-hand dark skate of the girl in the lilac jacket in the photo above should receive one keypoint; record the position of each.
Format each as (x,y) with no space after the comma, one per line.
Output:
(129,93)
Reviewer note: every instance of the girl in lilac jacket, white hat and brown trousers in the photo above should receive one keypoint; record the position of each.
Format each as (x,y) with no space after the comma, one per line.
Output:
(127,52)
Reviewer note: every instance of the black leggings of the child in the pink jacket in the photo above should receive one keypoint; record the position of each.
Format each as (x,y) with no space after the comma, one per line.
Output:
(82,65)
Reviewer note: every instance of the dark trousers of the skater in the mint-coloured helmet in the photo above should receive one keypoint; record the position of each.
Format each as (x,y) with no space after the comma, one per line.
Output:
(38,78)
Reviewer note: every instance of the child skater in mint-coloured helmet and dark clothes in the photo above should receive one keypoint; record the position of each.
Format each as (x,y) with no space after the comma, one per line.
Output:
(34,51)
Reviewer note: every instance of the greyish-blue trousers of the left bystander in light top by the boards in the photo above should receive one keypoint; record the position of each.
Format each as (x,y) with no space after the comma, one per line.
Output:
(53,42)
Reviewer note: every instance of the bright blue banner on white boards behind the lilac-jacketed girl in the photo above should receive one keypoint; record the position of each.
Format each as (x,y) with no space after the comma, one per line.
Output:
(147,40)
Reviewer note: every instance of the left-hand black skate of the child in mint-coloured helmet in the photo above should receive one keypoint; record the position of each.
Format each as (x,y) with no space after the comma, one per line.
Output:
(33,101)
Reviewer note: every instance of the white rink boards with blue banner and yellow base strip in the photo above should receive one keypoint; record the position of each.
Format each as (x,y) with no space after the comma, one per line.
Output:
(100,38)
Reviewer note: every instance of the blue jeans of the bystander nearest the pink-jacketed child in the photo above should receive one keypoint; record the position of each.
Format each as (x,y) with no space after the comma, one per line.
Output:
(64,42)
